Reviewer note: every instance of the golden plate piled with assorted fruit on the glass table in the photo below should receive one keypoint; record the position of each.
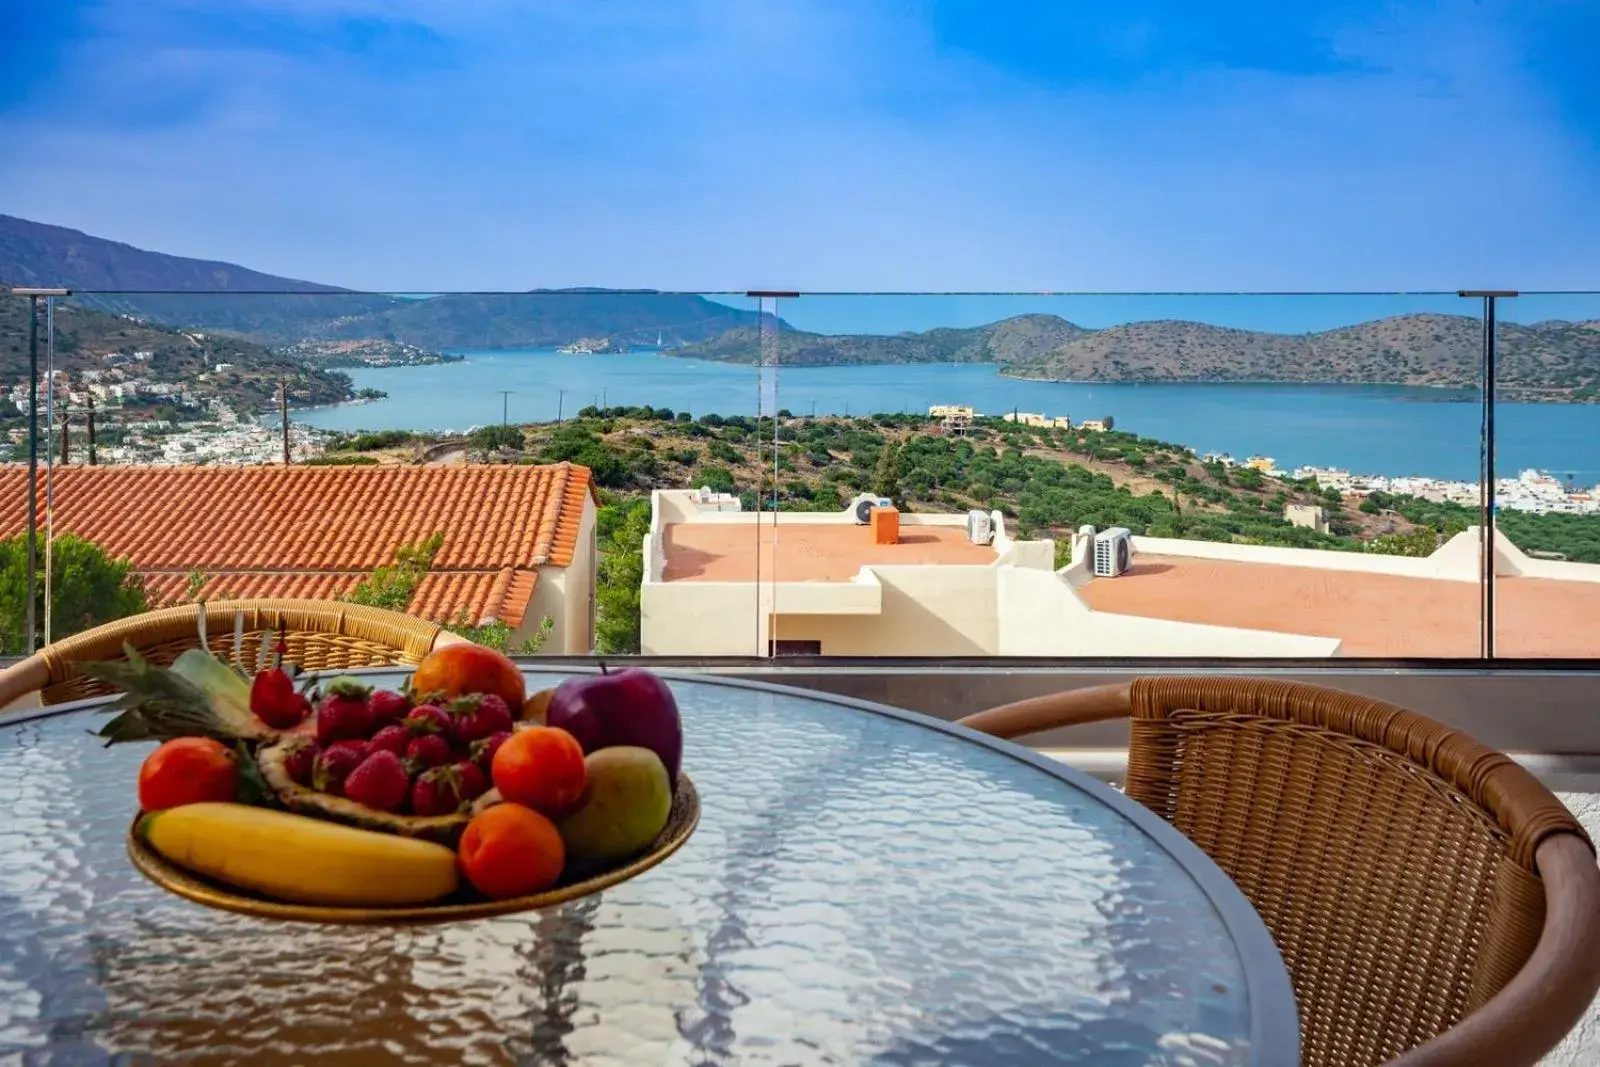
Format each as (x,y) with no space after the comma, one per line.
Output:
(457,796)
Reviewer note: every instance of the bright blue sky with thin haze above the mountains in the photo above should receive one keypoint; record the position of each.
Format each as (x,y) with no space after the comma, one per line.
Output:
(825,145)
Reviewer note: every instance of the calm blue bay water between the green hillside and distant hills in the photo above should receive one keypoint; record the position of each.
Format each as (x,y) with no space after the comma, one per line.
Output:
(1367,430)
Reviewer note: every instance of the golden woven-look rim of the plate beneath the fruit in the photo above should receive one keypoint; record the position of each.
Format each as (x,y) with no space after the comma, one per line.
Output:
(460,908)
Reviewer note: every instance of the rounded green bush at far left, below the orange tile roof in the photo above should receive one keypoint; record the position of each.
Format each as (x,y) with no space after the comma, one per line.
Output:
(87,589)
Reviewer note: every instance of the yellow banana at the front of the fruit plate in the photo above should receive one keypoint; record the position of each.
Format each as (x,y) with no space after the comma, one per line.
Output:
(302,860)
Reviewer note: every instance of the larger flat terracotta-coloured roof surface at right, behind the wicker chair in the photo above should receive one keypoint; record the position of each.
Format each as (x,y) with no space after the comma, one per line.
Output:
(1374,615)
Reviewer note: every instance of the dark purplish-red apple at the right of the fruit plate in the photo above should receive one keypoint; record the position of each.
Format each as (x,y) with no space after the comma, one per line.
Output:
(623,708)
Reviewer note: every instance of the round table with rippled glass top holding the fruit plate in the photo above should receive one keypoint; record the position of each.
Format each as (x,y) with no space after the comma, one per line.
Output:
(866,887)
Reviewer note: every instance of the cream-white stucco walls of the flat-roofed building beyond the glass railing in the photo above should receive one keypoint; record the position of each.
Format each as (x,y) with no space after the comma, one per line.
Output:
(1014,607)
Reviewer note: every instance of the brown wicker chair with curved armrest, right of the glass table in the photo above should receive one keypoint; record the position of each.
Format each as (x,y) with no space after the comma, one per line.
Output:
(1436,905)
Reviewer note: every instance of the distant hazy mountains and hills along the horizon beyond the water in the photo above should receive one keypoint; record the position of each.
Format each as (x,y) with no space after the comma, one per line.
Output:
(1553,359)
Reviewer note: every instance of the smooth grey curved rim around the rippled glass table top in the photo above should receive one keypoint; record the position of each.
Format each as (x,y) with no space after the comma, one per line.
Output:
(1274,1013)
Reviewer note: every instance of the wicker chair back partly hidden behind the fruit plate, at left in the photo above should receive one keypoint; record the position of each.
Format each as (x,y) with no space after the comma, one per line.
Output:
(321,636)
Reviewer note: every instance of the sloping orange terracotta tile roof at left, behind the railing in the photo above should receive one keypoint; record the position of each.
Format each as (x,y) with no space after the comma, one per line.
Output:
(316,532)
